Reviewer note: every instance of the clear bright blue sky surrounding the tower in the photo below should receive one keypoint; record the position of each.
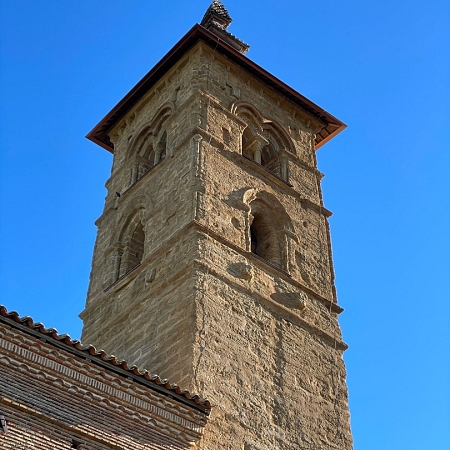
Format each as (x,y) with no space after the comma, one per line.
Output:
(381,67)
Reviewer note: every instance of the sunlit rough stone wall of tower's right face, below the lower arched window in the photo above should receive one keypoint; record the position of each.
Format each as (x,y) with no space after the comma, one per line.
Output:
(273,368)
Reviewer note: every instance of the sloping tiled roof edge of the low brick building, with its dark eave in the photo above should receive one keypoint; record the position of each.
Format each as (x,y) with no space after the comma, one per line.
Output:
(109,362)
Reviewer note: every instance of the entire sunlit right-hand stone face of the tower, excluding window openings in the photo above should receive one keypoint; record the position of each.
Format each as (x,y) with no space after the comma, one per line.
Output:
(269,349)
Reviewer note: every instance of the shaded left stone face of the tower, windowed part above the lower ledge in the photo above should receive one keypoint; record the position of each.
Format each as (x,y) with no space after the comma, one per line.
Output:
(165,208)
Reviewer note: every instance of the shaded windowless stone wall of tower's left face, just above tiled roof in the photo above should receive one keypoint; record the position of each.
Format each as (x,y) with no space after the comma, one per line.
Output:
(155,335)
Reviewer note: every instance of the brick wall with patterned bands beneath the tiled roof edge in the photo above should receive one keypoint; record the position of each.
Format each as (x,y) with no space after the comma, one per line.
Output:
(54,400)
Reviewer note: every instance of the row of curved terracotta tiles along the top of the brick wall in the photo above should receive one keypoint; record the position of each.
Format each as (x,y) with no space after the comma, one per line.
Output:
(12,317)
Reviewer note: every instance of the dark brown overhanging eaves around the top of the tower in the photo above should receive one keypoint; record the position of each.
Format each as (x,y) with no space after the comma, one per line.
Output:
(331,126)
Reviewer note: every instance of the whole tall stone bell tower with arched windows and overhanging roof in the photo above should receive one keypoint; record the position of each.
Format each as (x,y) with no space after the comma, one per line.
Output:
(212,264)
